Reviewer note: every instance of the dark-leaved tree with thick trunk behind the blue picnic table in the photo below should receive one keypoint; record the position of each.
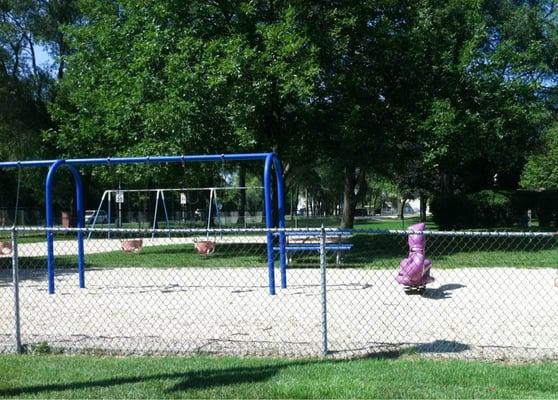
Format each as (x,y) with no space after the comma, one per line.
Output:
(362,51)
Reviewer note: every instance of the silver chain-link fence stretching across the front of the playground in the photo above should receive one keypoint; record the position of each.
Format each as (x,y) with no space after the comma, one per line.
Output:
(495,295)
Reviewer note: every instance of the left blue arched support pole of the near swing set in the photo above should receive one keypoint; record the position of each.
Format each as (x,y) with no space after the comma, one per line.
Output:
(50,222)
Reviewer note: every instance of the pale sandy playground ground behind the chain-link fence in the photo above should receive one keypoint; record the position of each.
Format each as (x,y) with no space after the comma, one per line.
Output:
(465,314)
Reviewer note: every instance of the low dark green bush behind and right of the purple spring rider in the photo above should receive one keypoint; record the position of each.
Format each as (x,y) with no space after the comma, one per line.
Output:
(485,209)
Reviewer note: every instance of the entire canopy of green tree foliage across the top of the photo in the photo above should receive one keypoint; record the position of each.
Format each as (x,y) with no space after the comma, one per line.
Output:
(435,96)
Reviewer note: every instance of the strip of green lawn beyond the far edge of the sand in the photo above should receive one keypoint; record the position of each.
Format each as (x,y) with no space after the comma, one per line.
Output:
(369,252)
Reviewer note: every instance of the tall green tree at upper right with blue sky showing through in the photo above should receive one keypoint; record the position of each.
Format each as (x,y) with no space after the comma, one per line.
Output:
(482,105)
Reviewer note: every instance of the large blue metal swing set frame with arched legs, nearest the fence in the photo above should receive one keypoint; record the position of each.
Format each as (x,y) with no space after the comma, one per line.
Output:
(272,164)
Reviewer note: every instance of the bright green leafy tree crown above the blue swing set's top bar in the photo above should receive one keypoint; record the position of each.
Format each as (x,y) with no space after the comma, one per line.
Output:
(162,78)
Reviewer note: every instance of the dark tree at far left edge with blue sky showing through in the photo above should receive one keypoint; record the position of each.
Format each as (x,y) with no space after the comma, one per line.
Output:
(23,93)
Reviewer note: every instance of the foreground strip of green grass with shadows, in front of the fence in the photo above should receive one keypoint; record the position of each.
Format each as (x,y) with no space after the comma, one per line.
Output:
(32,376)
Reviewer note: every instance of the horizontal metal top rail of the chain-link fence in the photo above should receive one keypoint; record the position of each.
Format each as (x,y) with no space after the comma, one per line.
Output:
(286,231)
